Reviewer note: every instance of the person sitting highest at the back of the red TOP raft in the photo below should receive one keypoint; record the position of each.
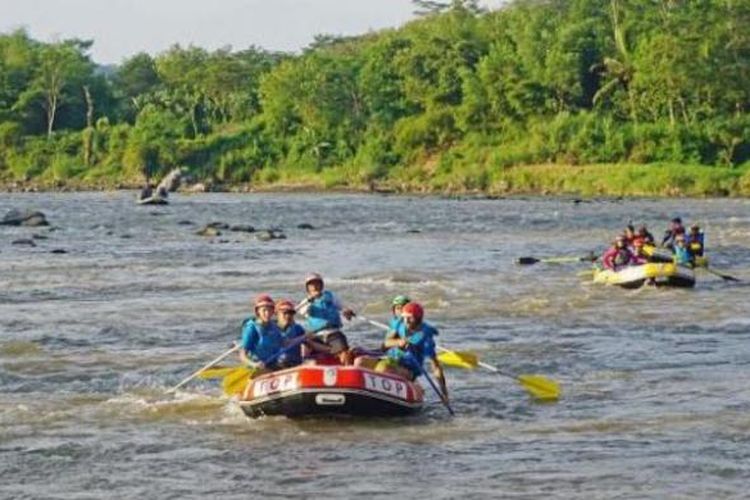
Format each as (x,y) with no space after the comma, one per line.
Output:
(323,311)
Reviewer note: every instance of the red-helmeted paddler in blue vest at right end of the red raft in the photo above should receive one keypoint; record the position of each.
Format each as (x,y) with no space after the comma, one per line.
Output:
(415,344)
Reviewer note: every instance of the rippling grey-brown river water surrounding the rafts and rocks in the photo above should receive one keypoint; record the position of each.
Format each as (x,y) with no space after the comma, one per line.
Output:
(656,382)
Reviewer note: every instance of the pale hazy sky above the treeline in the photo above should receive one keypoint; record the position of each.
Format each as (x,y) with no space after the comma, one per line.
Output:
(122,28)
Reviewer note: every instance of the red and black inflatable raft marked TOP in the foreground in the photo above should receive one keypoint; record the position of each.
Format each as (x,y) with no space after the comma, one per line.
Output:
(326,390)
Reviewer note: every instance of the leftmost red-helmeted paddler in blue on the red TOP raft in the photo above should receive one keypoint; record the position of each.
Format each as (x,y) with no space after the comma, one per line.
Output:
(261,337)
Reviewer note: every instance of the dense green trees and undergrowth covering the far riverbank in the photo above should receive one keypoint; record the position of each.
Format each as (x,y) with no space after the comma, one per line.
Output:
(459,99)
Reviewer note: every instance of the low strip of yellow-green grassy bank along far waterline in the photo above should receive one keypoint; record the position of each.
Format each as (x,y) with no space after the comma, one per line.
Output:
(588,181)
